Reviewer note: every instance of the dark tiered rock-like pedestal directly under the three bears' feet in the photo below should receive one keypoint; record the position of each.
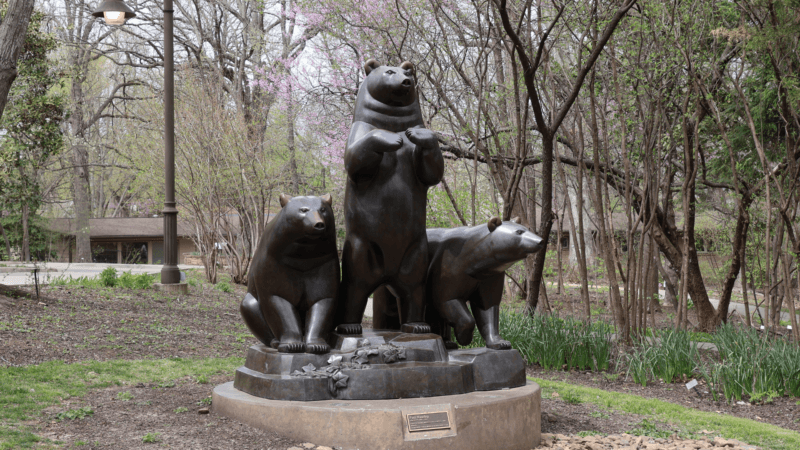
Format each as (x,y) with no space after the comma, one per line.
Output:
(378,365)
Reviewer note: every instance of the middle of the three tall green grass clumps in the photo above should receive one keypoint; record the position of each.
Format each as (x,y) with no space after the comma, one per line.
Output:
(668,356)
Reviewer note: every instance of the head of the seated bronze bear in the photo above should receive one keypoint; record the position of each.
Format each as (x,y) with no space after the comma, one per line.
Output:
(310,217)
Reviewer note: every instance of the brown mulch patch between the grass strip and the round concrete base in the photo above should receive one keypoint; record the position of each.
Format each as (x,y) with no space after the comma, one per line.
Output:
(174,417)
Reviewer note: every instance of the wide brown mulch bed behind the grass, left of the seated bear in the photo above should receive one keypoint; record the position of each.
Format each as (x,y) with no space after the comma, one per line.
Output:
(73,323)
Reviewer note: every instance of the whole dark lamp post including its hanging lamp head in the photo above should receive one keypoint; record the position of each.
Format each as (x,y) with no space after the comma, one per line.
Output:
(115,12)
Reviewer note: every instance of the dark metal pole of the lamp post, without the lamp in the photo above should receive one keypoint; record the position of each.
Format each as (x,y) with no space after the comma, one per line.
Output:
(170,274)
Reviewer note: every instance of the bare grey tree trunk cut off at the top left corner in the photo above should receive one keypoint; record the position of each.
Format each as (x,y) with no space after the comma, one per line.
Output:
(12,37)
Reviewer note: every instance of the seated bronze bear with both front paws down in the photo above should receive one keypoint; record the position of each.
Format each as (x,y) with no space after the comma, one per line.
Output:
(294,278)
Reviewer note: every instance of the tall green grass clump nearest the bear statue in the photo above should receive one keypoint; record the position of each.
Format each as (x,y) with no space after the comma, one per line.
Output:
(553,342)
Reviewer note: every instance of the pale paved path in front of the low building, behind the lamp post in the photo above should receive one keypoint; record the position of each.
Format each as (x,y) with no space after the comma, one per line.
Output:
(15,273)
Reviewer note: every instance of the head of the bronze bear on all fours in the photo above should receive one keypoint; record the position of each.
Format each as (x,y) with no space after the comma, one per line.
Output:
(510,242)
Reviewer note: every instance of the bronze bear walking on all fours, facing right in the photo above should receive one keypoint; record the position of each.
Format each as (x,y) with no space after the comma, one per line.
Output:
(467,264)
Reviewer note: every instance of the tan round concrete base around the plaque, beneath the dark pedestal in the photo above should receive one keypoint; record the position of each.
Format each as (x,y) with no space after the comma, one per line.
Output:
(507,419)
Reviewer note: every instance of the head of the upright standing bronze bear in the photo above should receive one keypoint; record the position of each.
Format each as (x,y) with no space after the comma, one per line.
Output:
(390,85)
